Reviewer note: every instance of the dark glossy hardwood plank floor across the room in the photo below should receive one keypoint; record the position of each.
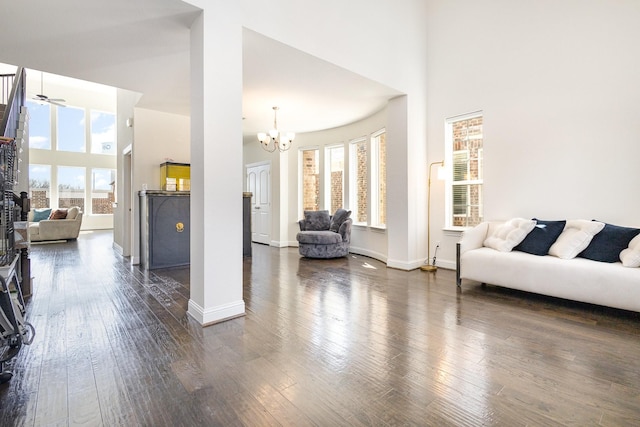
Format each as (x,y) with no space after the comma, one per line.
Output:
(323,342)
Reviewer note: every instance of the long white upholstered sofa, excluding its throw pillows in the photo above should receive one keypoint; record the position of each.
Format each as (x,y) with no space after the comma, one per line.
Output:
(603,283)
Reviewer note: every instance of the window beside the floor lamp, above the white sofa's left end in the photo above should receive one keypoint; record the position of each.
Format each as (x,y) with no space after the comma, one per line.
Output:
(464,139)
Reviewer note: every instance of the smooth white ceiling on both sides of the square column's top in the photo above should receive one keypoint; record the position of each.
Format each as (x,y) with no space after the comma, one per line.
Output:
(143,46)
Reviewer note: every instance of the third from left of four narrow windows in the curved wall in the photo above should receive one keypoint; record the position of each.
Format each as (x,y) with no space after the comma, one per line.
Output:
(358,180)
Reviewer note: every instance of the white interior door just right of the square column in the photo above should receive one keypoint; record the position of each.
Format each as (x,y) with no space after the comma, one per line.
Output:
(259,184)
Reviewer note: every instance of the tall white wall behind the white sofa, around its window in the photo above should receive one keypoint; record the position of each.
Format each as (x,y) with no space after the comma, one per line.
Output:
(558,84)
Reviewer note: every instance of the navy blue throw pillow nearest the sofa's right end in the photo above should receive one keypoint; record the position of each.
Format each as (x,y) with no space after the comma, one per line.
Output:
(608,243)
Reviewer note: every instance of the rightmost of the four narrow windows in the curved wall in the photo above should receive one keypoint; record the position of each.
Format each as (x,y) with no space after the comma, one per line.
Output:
(379,179)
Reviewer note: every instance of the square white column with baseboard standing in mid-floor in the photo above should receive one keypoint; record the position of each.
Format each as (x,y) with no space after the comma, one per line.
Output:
(216,166)
